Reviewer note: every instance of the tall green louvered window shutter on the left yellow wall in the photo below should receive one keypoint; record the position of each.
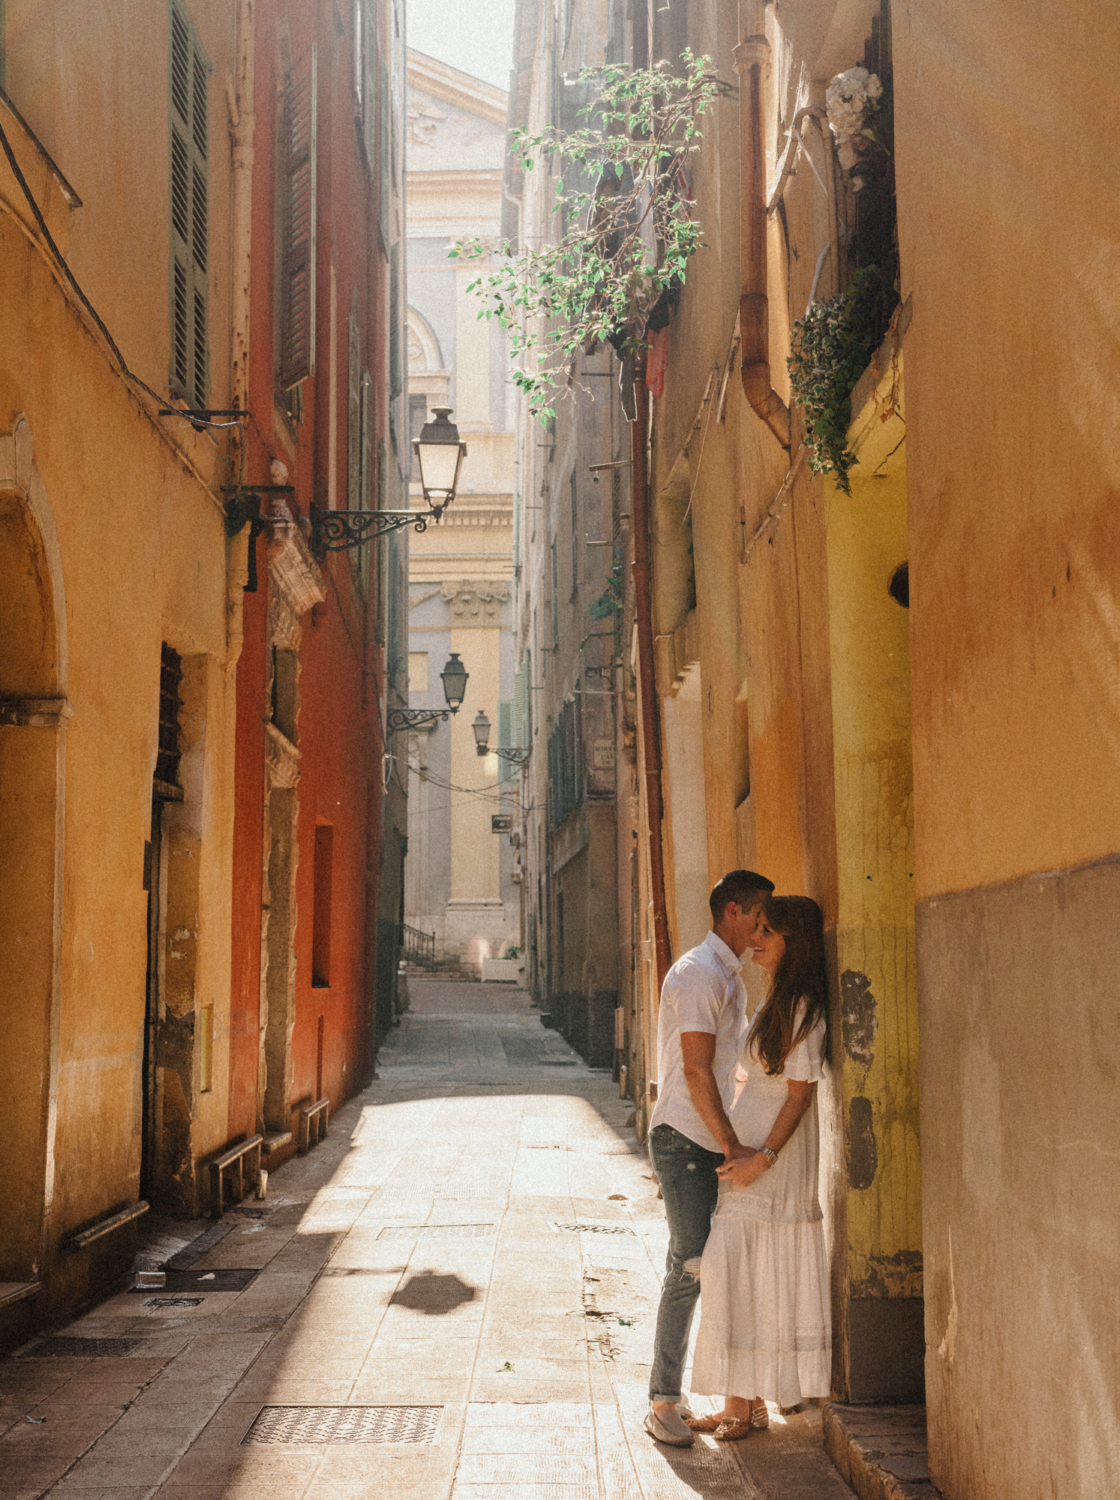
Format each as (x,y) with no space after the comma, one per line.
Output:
(190,211)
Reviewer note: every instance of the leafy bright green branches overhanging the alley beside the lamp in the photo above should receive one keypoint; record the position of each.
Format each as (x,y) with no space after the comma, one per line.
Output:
(624,226)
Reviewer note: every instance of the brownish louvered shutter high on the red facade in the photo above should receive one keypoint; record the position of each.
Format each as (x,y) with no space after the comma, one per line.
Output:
(298,230)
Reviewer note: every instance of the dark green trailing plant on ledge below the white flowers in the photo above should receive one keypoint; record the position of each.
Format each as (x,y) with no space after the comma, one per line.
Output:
(833,347)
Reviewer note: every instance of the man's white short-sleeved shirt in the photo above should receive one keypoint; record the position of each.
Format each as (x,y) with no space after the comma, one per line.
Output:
(704,992)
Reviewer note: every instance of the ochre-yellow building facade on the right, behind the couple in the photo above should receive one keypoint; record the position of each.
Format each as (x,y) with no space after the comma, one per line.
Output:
(885,689)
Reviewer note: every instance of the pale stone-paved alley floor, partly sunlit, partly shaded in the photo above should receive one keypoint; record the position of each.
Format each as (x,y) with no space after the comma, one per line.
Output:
(452,1298)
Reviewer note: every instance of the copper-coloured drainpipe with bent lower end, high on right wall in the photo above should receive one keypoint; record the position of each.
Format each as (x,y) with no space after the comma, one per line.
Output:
(750,58)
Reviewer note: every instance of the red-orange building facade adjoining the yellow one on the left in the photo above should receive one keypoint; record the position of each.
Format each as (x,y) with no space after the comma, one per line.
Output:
(317,856)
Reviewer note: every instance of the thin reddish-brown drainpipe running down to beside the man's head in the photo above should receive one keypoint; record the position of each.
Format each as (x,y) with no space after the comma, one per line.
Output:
(644,619)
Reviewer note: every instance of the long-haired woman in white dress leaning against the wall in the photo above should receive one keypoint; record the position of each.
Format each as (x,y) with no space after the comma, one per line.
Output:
(765,1330)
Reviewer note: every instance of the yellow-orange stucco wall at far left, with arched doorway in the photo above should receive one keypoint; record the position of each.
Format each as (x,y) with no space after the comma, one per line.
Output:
(142,557)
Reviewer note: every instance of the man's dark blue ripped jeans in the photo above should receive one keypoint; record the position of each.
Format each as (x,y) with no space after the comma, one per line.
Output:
(689,1187)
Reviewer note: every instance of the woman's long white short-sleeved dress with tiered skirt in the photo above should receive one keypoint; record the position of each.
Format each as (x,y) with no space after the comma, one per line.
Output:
(765,1321)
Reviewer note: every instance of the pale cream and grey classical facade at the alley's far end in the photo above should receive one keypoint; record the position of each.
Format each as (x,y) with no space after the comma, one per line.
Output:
(461,862)
